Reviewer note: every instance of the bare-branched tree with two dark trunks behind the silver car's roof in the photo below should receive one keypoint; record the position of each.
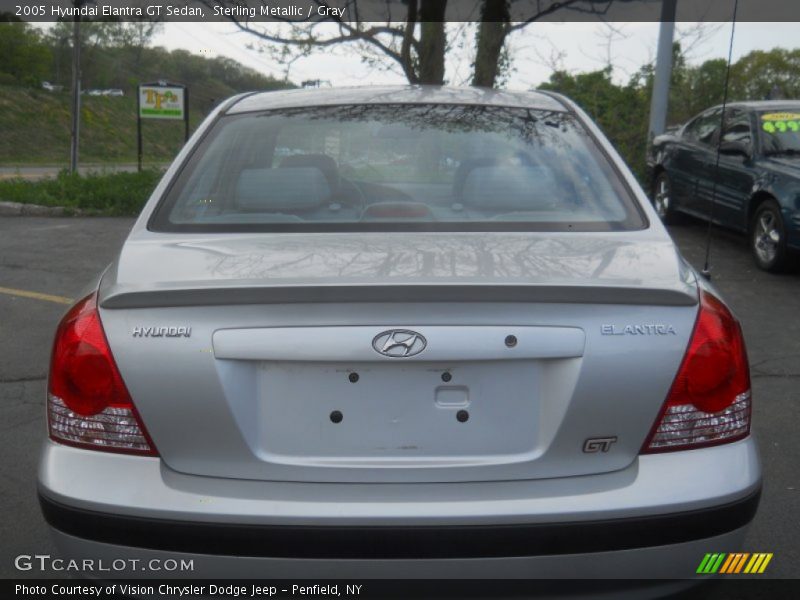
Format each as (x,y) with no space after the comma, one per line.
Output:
(414,42)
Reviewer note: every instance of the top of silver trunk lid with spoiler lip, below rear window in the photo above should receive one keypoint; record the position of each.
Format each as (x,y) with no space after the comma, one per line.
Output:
(162,269)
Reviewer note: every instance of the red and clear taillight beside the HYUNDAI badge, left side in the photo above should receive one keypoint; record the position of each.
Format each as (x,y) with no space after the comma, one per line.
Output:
(88,404)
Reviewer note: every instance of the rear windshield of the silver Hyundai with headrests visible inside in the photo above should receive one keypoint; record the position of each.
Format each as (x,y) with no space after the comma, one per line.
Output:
(397,167)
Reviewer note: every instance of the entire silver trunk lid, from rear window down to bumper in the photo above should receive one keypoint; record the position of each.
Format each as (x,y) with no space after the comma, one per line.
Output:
(285,333)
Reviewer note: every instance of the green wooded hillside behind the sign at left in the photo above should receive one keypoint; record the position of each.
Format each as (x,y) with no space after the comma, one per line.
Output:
(35,123)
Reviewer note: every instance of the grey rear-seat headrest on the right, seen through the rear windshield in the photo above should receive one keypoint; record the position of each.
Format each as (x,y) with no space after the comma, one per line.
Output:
(509,188)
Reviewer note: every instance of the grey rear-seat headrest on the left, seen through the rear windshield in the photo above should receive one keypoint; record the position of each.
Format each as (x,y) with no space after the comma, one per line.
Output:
(274,190)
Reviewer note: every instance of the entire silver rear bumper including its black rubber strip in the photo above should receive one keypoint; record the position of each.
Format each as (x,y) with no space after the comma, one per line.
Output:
(655,518)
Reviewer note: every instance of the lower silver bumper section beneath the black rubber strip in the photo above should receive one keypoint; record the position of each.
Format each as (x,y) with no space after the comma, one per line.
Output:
(673,563)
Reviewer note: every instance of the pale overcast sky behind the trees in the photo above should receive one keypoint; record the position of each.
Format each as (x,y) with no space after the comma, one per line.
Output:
(577,46)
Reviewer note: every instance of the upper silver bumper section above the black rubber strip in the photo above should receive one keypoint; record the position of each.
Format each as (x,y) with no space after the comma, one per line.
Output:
(651,485)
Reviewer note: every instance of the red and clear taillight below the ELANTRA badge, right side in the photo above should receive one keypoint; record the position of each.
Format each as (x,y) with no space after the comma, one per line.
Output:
(709,402)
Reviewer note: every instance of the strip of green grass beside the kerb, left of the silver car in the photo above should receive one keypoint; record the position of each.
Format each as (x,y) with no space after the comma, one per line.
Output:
(108,194)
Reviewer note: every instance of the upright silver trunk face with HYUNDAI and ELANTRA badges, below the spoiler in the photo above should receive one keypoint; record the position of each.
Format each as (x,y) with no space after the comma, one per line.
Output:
(238,414)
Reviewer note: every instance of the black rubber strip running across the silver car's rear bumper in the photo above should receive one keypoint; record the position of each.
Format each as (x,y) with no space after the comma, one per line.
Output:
(400,542)
